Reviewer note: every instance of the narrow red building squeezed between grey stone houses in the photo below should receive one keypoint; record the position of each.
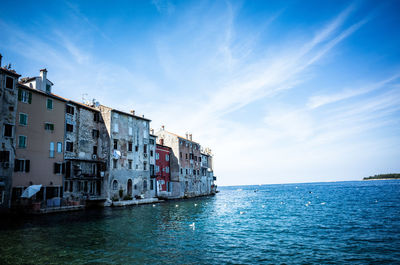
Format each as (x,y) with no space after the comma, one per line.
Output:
(162,170)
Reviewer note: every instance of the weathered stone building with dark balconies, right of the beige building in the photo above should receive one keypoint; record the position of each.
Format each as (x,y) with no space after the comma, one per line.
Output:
(87,150)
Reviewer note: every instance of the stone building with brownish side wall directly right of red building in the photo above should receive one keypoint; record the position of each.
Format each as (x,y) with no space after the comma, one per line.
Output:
(185,160)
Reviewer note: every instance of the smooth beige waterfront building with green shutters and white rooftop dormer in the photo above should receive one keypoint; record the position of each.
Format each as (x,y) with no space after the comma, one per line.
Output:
(39,139)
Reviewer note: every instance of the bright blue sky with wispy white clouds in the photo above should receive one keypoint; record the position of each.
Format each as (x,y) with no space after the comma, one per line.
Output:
(281,91)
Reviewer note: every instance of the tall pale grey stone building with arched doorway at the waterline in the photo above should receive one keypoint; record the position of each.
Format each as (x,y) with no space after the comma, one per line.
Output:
(129,170)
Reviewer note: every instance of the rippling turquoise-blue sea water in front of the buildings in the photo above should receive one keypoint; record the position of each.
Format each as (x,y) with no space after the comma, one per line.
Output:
(337,223)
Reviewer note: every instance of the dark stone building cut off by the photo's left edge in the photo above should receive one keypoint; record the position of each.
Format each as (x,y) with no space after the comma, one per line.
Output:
(8,107)
